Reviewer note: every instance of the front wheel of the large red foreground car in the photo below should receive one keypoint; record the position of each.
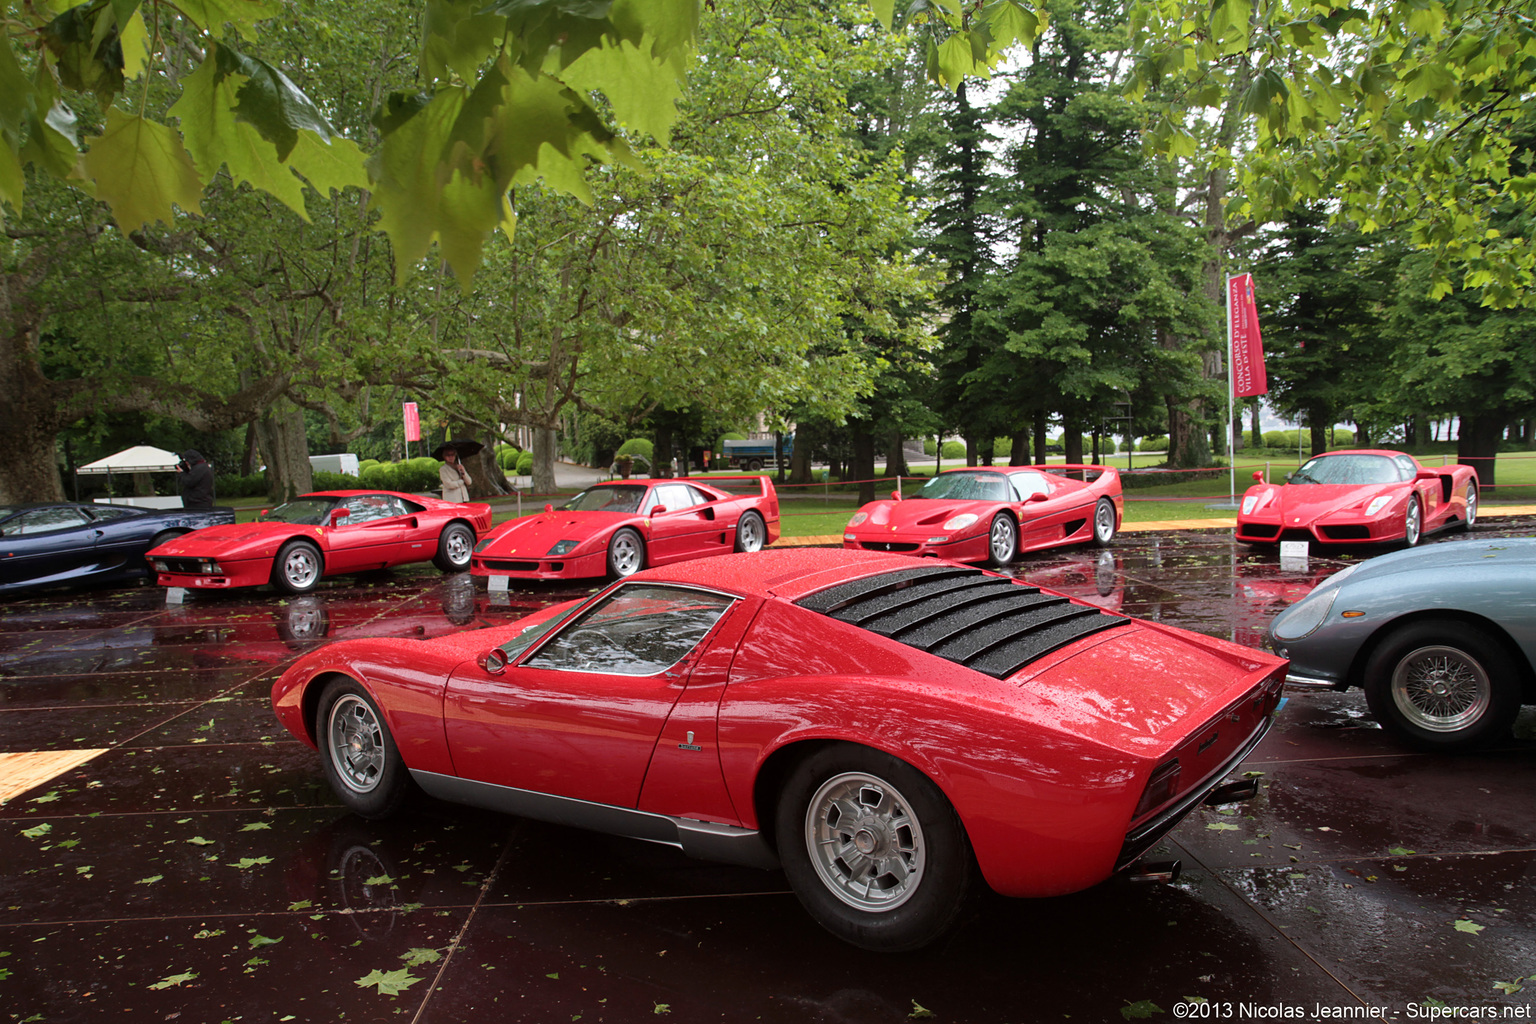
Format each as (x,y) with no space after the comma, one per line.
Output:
(357,753)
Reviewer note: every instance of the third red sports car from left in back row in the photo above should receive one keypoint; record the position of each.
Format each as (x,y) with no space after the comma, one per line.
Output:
(991,515)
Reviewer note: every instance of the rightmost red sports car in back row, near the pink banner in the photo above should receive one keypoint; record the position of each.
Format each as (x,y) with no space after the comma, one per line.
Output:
(1360,497)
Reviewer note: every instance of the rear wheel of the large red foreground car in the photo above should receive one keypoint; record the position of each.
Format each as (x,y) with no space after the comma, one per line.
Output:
(918,876)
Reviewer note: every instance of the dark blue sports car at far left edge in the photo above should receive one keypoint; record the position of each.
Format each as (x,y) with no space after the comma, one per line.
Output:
(74,543)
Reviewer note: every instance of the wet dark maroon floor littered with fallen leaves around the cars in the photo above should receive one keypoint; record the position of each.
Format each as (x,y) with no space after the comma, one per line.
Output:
(168,853)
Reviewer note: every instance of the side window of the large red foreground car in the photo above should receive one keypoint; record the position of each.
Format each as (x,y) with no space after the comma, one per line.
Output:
(638,630)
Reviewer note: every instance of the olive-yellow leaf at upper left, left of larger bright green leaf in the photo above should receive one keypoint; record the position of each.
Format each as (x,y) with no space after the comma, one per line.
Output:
(141,170)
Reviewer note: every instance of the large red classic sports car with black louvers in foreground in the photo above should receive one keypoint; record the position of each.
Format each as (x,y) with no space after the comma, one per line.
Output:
(886,732)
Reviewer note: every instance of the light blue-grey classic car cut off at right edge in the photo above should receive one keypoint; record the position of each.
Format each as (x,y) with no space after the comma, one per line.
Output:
(1442,639)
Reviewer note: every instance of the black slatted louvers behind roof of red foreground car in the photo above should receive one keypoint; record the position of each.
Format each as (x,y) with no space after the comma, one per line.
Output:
(965,616)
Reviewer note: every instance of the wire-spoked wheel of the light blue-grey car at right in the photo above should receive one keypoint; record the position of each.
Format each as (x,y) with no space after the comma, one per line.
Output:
(1443,685)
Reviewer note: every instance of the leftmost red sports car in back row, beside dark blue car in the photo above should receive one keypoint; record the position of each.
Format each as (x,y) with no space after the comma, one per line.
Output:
(326,533)
